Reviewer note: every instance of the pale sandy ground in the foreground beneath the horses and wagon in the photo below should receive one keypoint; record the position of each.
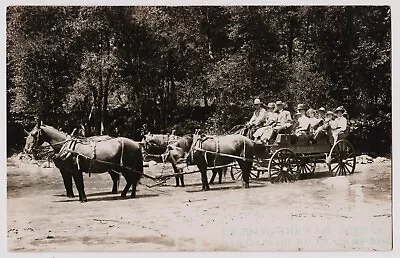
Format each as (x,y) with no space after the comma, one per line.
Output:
(320,213)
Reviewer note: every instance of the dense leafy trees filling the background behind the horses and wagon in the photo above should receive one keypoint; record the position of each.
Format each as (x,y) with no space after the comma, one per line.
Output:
(113,69)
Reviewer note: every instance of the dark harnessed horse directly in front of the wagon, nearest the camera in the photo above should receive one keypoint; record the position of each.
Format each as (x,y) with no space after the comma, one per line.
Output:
(219,151)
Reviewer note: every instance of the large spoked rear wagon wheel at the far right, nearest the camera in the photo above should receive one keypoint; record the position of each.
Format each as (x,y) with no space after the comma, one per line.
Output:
(342,158)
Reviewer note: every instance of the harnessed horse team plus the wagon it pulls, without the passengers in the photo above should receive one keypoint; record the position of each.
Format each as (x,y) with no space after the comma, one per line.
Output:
(284,160)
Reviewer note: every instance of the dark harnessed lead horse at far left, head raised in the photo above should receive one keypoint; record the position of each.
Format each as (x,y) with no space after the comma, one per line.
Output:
(74,157)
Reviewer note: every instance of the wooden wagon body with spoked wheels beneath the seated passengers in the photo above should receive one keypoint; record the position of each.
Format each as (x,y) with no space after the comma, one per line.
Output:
(286,161)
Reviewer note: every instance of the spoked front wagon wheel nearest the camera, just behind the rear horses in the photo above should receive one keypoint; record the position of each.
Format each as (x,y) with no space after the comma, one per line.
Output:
(282,166)
